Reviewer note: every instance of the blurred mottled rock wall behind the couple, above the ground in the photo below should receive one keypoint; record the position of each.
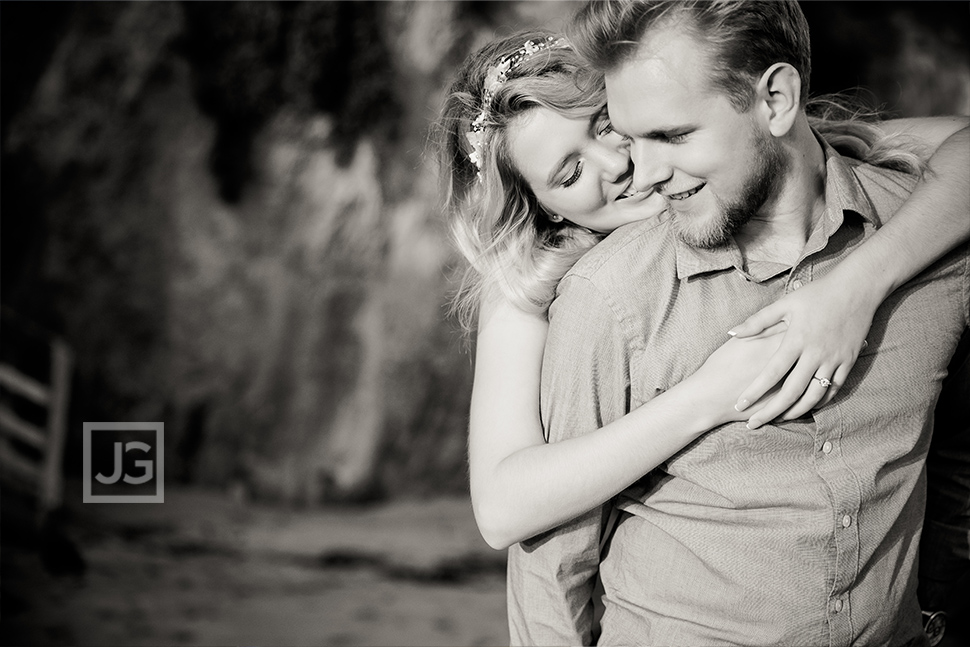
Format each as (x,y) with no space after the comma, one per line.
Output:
(227,210)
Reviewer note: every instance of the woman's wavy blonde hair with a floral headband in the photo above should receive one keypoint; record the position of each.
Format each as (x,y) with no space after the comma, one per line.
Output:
(512,247)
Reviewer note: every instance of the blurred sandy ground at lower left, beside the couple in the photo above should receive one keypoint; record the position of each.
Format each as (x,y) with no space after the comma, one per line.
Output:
(201,570)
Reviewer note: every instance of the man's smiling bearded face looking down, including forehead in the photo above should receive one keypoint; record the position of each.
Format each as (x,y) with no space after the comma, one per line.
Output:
(717,167)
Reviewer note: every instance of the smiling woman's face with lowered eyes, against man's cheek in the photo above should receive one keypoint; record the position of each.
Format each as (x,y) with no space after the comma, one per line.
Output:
(579,169)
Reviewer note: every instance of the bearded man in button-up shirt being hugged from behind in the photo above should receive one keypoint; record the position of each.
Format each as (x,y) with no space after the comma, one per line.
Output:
(801,533)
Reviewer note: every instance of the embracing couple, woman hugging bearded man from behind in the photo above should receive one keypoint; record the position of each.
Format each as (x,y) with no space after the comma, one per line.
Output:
(712,332)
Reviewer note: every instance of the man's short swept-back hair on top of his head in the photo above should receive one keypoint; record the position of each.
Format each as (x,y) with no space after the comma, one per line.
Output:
(744,37)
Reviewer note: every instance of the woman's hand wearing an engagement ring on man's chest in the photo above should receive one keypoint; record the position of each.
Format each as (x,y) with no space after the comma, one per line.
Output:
(827,325)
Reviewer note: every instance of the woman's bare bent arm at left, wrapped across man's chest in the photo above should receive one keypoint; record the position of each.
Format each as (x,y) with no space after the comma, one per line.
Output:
(520,485)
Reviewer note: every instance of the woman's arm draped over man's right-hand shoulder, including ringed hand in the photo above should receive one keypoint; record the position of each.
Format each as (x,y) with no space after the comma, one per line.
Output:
(828,319)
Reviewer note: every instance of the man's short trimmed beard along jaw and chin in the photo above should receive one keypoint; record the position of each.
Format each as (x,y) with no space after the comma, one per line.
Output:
(717,230)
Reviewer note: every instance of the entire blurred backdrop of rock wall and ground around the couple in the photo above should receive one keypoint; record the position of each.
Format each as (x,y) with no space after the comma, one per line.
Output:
(226,212)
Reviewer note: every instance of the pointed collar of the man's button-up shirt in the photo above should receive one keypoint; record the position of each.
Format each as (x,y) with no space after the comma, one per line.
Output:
(843,192)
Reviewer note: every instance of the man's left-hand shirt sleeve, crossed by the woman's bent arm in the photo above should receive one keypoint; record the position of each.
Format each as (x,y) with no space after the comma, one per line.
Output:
(585,384)
